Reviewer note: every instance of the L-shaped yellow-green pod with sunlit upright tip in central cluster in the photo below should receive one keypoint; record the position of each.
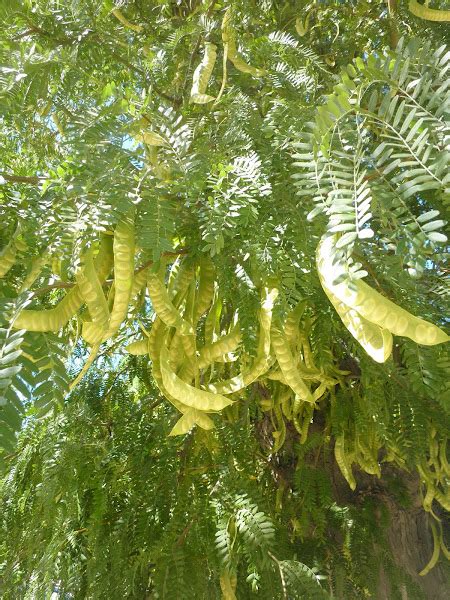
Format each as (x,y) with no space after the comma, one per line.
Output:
(263,360)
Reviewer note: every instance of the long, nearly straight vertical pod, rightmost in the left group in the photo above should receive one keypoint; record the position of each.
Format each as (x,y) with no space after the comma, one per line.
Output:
(124,247)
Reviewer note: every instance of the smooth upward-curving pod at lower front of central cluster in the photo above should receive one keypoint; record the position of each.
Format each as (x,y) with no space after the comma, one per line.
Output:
(187,394)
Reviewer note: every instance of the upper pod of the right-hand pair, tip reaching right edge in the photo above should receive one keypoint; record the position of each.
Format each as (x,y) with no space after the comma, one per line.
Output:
(371,305)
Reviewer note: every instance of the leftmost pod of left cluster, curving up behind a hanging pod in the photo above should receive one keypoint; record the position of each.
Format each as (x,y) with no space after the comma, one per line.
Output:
(56,318)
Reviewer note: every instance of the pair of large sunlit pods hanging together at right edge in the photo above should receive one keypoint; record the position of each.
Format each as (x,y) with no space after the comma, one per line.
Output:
(369,316)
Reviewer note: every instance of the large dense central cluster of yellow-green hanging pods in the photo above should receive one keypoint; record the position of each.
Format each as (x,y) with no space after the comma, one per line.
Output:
(197,362)
